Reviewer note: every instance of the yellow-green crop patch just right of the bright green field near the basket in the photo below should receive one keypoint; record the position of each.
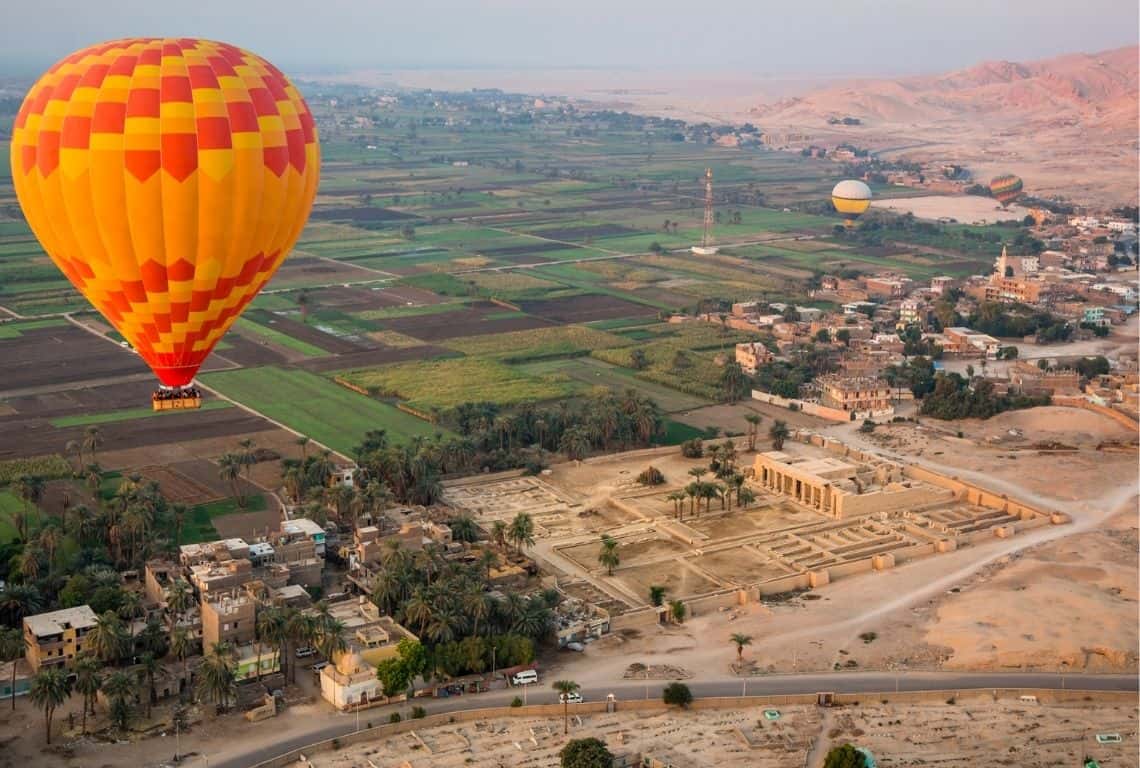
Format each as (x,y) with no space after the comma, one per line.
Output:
(447,383)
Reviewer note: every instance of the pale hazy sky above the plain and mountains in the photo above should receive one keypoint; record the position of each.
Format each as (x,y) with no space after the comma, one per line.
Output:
(746,37)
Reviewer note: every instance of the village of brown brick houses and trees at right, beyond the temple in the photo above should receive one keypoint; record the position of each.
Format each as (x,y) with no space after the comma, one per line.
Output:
(1079,288)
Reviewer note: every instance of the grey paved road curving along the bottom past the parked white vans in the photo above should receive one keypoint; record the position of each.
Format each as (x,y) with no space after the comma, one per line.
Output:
(767,685)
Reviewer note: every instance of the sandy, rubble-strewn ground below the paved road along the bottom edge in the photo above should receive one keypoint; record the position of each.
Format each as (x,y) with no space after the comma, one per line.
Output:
(972,730)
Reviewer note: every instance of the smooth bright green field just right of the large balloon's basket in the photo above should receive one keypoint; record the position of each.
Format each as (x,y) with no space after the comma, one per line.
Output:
(317,407)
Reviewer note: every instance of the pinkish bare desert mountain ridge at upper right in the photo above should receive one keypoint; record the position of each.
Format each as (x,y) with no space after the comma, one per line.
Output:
(1068,125)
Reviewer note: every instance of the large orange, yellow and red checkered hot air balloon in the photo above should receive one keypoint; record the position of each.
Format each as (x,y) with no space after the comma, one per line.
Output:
(168,179)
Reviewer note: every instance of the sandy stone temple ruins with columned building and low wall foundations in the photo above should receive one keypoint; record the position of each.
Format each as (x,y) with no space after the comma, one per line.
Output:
(824,511)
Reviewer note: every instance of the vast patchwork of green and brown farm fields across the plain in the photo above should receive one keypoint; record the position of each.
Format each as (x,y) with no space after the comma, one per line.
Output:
(577,225)
